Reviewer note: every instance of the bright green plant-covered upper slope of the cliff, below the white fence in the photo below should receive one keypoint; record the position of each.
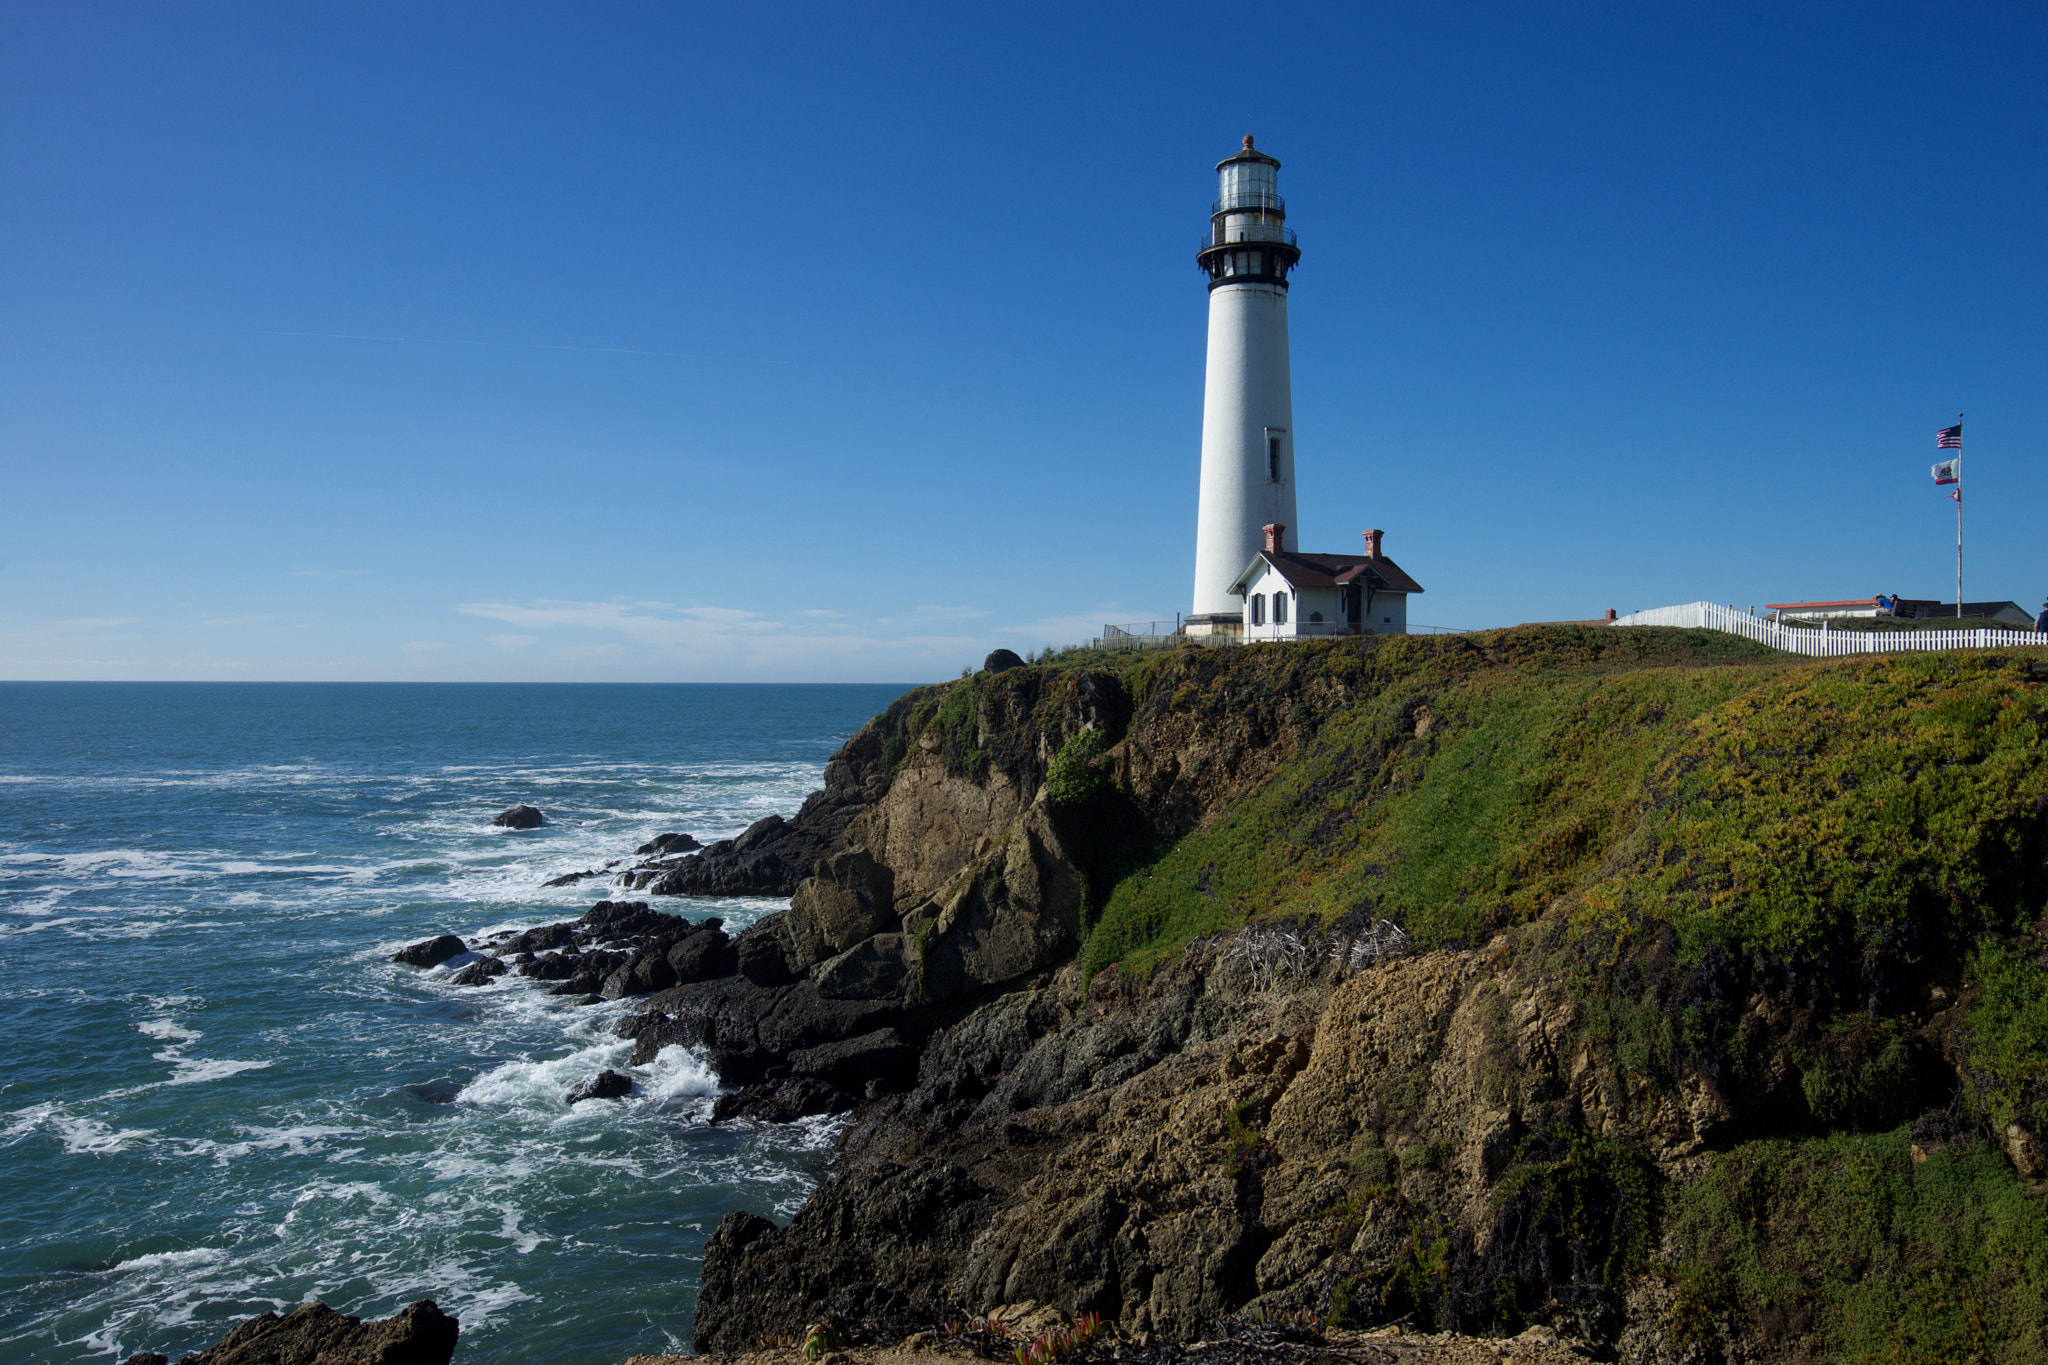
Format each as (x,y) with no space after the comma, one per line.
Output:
(1754,807)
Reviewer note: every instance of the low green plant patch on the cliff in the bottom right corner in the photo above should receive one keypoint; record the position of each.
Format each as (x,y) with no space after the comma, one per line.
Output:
(1850,1245)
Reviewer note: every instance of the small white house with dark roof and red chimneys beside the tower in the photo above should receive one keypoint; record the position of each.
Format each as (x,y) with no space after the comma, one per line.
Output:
(1289,595)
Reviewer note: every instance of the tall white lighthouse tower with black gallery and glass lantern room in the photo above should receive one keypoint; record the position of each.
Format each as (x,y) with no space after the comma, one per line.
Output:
(1248,400)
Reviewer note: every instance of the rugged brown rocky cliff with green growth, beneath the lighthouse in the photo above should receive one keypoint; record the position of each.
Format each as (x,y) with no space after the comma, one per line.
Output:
(1633,983)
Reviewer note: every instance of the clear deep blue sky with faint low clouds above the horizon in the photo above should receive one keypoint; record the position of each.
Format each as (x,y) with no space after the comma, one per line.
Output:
(849,343)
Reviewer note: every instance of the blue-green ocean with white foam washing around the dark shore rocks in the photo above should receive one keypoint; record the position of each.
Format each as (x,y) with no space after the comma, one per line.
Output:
(218,1096)
